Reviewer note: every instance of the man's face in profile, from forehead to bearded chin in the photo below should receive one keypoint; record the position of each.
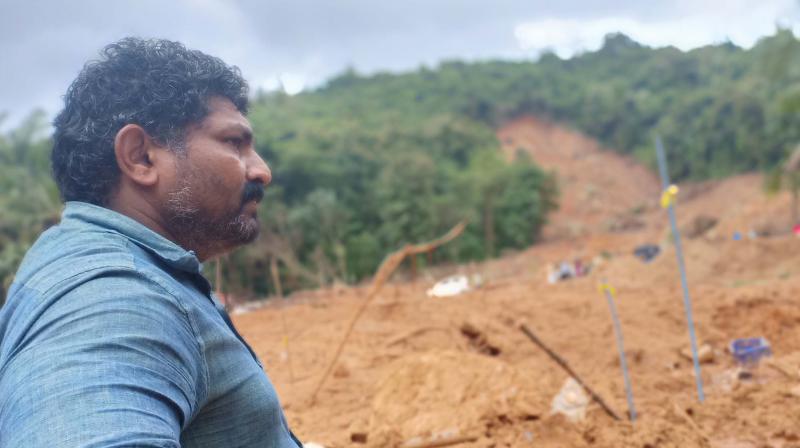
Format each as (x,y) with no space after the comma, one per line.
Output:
(211,206)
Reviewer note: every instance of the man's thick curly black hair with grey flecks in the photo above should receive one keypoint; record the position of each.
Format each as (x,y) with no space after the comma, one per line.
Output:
(158,84)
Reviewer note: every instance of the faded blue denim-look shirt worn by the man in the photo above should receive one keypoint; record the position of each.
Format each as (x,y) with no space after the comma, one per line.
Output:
(110,337)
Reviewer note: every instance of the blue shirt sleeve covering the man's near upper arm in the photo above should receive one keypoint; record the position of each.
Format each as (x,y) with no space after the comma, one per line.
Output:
(112,363)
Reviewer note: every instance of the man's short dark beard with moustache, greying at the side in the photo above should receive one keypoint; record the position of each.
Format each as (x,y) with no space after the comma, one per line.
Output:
(196,229)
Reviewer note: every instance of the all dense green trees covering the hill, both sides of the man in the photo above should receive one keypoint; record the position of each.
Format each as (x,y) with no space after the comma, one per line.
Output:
(365,164)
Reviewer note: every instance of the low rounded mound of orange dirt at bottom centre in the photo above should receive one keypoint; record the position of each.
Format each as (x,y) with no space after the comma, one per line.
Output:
(418,397)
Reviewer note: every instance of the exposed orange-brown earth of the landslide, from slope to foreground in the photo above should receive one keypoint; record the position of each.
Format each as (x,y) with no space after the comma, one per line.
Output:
(419,370)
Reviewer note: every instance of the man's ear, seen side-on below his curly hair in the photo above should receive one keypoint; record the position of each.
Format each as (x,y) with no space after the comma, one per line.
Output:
(134,150)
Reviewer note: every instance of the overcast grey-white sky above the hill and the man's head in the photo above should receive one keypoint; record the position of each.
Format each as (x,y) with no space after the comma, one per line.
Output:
(43,44)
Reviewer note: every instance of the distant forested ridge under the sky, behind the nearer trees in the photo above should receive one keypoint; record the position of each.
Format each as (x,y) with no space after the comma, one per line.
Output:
(720,109)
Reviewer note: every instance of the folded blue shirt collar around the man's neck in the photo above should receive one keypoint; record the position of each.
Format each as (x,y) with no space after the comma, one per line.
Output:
(108,220)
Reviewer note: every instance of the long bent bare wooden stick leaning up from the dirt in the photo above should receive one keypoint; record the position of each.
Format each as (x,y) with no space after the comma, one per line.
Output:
(386,269)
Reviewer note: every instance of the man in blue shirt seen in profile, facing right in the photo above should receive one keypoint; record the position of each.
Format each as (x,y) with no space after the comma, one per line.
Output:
(110,335)
